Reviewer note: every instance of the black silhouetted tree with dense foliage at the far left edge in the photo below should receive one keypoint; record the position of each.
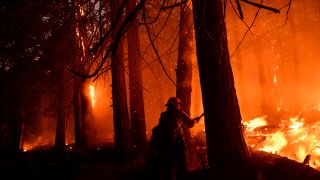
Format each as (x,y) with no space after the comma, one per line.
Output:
(20,68)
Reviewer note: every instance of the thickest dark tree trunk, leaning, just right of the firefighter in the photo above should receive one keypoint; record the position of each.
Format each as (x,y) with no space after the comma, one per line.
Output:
(228,153)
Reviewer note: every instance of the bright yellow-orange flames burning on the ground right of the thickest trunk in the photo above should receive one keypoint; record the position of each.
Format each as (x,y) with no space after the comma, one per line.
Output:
(294,137)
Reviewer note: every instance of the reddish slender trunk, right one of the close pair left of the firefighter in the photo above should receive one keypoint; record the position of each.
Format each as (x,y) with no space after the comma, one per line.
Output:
(138,124)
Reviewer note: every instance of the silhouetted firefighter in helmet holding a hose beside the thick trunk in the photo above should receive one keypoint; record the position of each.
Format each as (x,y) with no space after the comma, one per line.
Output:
(168,141)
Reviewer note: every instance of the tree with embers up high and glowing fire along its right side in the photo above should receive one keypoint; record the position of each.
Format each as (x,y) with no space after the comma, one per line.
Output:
(83,111)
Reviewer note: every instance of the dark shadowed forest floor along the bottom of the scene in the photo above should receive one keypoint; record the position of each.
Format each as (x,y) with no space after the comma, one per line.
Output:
(100,163)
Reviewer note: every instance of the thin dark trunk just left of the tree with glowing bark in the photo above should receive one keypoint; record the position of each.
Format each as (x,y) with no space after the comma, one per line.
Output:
(60,51)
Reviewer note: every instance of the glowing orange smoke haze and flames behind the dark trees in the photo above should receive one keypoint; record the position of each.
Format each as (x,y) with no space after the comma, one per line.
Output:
(276,78)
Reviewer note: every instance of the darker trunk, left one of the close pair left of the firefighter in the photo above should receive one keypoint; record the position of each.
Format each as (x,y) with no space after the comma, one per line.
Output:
(122,133)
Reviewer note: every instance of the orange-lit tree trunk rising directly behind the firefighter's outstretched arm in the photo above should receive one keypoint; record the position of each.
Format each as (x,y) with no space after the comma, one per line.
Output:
(184,65)
